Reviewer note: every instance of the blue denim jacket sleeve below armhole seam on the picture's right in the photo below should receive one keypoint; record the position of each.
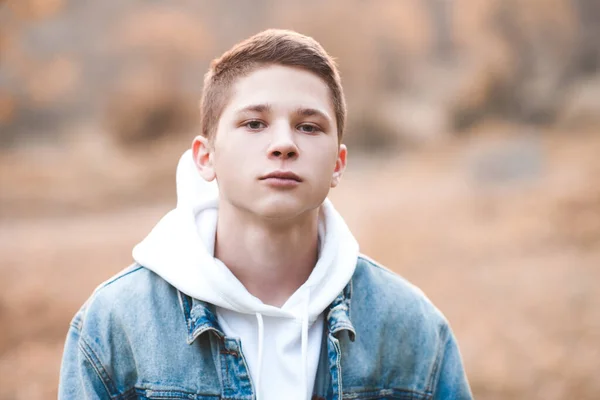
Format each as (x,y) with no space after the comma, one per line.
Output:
(452,381)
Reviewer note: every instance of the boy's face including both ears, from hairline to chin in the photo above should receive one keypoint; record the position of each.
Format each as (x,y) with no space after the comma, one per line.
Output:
(276,152)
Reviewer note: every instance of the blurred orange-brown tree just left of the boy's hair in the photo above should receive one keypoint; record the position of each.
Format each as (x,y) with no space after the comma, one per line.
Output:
(148,98)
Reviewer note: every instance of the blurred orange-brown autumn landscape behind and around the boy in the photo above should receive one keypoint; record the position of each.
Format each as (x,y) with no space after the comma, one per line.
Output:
(474,163)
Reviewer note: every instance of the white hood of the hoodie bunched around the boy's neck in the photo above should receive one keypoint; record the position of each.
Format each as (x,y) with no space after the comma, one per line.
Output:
(180,249)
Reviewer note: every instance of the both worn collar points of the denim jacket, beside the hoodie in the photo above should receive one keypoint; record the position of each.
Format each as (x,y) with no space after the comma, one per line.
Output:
(200,317)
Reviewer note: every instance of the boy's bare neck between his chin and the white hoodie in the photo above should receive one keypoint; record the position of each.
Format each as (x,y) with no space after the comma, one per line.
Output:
(272,260)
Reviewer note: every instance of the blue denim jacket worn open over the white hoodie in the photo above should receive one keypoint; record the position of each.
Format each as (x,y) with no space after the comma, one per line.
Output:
(138,337)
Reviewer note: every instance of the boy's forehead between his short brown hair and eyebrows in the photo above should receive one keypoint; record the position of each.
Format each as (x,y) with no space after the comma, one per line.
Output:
(283,88)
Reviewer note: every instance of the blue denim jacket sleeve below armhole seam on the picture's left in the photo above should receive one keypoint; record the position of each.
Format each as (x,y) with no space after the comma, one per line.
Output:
(81,373)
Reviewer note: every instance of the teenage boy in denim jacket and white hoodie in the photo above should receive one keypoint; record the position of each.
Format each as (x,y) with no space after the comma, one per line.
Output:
(255,288)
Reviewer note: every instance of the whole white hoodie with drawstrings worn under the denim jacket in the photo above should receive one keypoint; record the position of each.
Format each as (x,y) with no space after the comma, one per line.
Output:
(180,249)
